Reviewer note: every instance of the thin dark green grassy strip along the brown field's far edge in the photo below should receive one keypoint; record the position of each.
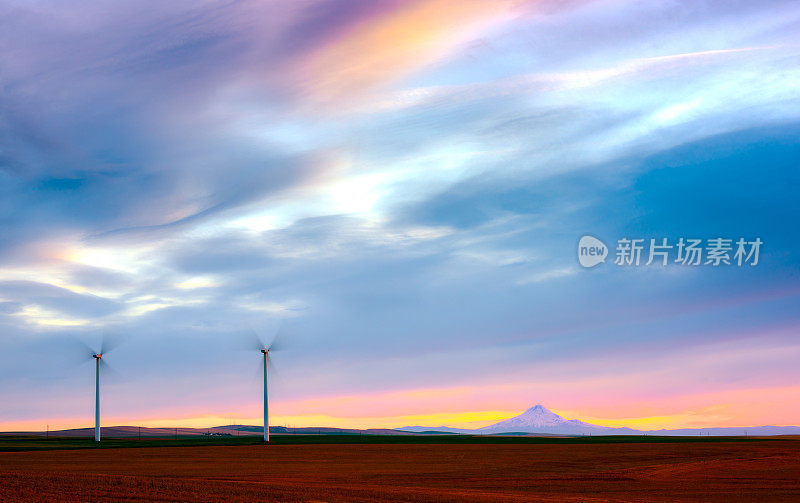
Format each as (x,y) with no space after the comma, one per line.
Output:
(10,443)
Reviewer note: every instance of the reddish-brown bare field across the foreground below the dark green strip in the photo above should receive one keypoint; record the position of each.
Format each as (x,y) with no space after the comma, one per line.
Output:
(713,471)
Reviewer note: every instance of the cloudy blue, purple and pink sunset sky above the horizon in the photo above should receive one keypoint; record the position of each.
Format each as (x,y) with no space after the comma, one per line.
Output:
(397,188)
